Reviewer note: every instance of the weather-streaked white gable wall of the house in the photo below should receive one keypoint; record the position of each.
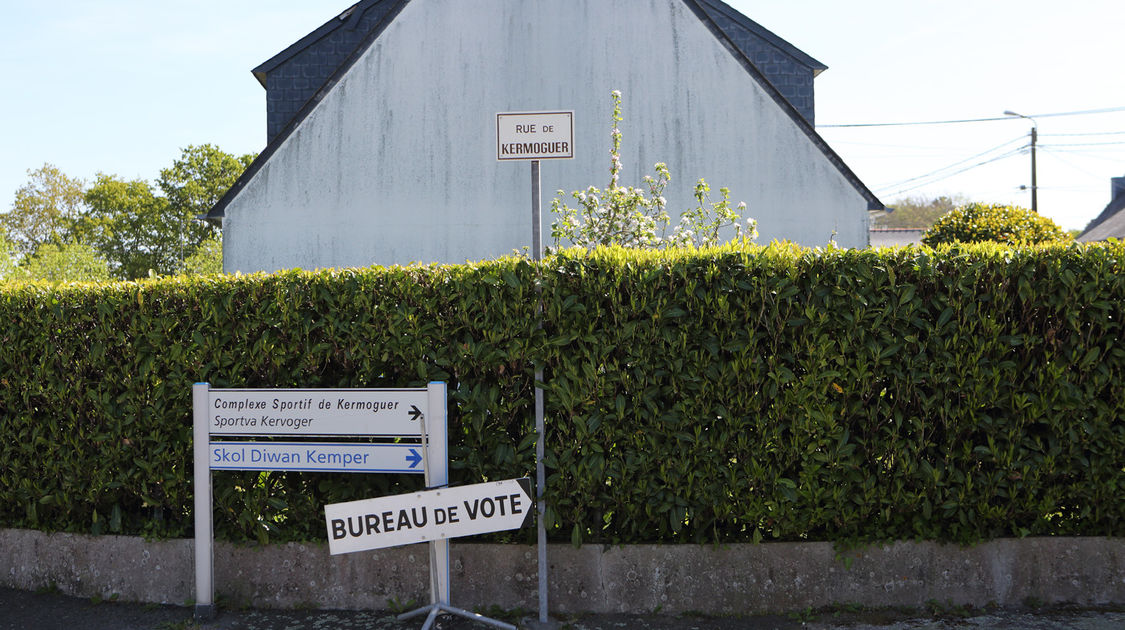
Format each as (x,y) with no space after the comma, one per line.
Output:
(398,165)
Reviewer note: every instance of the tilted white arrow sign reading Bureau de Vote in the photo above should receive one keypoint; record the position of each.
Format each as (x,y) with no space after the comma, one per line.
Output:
(429,516)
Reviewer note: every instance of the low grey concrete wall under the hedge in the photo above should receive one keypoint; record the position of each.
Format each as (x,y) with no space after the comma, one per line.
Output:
(730,580)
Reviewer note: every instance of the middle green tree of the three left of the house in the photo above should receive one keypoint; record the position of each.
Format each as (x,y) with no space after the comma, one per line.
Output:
(131,227)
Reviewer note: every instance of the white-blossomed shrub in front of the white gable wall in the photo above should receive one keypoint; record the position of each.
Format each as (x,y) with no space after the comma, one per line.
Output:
(636,218)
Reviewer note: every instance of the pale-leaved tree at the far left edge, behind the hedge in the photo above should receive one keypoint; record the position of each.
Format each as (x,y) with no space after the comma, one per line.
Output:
(44,210)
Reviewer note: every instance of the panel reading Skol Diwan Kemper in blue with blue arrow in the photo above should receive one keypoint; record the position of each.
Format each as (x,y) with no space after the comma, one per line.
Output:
(322,457)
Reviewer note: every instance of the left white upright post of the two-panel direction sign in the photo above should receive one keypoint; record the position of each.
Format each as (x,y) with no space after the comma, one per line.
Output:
(205,556)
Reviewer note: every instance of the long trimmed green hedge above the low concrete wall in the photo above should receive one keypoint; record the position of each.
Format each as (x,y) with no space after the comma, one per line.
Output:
(728,395)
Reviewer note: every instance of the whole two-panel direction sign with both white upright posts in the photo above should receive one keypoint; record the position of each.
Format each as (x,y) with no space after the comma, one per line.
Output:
(302,413)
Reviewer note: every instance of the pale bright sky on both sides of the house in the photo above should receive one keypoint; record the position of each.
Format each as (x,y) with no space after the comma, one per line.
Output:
(121,86)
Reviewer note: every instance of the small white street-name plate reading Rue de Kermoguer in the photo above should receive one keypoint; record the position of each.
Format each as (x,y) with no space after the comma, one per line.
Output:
(535,136)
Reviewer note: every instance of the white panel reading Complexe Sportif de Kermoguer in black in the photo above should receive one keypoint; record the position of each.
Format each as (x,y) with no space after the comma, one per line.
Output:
(317,412)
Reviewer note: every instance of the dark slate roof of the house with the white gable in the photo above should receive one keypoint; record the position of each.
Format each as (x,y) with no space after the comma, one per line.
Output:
(338,44)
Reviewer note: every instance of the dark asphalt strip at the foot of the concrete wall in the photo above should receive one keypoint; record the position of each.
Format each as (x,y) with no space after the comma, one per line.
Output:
(22,610)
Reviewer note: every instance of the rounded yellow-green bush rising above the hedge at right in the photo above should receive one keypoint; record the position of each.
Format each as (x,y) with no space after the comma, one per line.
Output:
(1004,224)
